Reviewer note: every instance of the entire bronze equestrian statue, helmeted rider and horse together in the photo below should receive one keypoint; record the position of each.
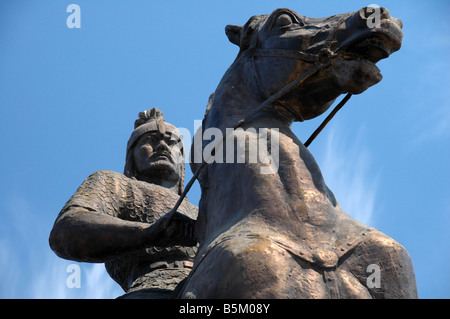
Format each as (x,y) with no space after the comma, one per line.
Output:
(277,234)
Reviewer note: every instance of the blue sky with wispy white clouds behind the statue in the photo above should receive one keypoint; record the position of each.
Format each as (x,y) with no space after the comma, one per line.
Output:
(69,98)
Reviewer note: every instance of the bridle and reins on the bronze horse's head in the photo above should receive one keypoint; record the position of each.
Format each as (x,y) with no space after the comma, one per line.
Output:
(321,60)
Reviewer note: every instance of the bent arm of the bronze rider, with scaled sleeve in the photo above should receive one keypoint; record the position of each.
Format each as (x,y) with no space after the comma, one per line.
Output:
(88,228)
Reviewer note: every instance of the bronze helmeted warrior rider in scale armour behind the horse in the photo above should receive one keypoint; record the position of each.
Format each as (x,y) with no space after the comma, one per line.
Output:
(120,219)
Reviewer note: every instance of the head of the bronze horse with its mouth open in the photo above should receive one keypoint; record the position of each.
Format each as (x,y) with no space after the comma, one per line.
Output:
(283,45)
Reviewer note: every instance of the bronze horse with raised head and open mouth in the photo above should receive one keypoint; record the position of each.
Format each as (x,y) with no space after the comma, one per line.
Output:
(282,234)
